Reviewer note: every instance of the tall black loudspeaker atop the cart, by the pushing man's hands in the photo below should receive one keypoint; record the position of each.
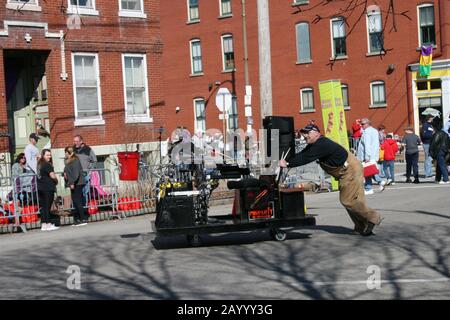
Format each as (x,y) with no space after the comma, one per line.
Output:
(285,126)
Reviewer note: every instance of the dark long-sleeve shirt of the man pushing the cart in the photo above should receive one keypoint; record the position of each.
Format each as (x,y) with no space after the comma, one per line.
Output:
(324,150)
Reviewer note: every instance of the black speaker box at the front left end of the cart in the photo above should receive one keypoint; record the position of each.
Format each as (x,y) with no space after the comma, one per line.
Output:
(175,212)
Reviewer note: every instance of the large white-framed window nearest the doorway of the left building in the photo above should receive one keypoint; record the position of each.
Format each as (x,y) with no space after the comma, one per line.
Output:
(86,86)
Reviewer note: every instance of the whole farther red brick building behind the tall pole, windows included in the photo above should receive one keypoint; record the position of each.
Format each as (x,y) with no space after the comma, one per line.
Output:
(374,54)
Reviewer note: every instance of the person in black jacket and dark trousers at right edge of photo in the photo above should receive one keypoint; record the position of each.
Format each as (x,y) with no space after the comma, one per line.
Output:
(439,149)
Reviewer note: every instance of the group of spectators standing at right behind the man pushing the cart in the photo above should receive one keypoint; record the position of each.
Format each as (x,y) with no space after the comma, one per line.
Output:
(374,145)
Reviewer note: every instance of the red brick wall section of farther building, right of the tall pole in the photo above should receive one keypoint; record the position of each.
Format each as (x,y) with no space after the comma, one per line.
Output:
(357,71)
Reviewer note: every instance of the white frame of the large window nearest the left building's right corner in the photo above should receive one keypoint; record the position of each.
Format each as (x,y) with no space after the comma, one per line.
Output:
(136,118)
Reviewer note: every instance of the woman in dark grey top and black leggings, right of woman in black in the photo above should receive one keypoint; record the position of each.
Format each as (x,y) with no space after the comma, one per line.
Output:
(74,179)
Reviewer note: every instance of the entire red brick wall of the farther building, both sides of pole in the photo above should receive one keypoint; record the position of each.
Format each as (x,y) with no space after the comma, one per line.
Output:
(287,77)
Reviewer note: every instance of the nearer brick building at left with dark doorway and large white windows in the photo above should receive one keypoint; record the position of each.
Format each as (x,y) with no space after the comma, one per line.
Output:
(89,67)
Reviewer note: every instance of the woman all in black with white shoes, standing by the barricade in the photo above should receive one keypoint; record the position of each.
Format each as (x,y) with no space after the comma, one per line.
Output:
(47,182)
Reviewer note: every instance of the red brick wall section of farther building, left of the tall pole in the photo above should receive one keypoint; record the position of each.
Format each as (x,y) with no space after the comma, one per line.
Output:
(181,88)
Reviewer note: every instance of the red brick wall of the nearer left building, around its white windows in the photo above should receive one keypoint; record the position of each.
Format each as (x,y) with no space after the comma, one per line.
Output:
(108,35)
